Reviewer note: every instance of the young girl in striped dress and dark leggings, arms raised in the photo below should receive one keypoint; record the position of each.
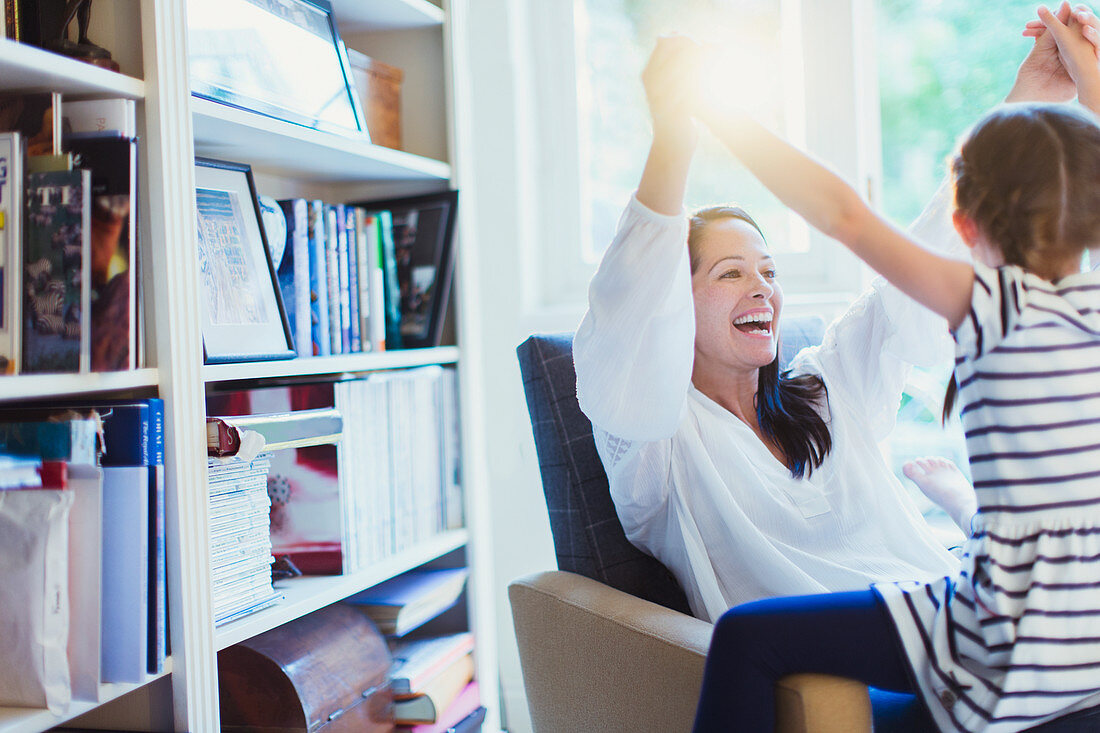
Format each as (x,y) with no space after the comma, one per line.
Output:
(1013,640)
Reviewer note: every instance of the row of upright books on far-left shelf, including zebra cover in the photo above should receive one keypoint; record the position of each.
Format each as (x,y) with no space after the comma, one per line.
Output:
(69,291)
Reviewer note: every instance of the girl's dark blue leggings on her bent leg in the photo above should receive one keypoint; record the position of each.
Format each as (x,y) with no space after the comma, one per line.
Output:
(755,644)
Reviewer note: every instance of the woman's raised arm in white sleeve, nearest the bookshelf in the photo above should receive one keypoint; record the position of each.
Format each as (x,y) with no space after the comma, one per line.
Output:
(635,347)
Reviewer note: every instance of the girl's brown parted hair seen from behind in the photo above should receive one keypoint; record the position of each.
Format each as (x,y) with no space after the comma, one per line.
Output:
(1029,177)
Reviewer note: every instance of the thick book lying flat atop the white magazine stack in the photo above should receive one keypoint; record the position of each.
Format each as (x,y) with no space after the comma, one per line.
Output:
(292,430)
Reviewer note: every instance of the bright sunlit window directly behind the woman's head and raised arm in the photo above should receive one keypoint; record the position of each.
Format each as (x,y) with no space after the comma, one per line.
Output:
(763,48)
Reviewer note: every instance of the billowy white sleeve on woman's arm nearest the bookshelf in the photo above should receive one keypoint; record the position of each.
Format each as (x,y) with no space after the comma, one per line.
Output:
(635,346)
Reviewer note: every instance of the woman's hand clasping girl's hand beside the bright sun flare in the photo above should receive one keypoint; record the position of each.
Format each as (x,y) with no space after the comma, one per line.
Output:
(672,82)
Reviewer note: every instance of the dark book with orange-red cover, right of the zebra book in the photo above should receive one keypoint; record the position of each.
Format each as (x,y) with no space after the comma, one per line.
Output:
(114,247)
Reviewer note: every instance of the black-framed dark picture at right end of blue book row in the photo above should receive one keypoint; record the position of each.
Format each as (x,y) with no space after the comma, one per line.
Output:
(423,237)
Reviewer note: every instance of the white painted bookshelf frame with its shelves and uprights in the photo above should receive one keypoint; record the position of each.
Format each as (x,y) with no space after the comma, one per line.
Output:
(289,161)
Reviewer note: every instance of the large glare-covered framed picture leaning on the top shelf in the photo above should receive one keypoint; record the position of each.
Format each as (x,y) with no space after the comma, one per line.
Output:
(279,58)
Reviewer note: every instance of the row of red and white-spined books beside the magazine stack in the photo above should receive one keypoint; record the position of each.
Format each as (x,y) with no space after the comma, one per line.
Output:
(391,483)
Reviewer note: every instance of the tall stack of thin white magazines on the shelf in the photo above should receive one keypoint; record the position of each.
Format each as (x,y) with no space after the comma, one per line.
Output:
(240,538)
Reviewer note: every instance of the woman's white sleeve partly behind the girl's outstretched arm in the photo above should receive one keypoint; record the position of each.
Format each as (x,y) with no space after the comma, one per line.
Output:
(866,354)
